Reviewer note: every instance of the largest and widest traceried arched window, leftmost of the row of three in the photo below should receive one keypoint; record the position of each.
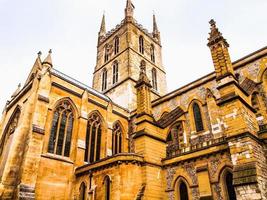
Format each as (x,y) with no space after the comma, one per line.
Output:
(61,130)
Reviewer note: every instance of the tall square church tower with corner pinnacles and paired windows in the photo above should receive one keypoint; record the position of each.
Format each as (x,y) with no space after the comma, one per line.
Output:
(119,54)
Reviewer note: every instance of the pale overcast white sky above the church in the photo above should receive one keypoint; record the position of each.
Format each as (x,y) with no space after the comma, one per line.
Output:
(70,27)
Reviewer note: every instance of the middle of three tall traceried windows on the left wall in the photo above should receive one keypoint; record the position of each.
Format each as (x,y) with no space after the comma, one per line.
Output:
(93,139)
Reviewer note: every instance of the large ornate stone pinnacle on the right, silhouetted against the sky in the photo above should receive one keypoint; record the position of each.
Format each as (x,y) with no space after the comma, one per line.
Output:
(219,52)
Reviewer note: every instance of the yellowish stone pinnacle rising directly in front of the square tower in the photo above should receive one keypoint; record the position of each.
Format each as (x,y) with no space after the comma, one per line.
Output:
(143,88)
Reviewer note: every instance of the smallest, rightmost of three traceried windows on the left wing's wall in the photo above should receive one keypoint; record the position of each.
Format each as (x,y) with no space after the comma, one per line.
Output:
(116,139)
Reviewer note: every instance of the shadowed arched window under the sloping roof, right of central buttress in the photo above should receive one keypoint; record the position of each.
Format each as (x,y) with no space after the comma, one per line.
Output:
(175,139)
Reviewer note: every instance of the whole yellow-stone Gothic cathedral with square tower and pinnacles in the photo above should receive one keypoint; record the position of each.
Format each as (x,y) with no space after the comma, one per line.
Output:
(126,138)
